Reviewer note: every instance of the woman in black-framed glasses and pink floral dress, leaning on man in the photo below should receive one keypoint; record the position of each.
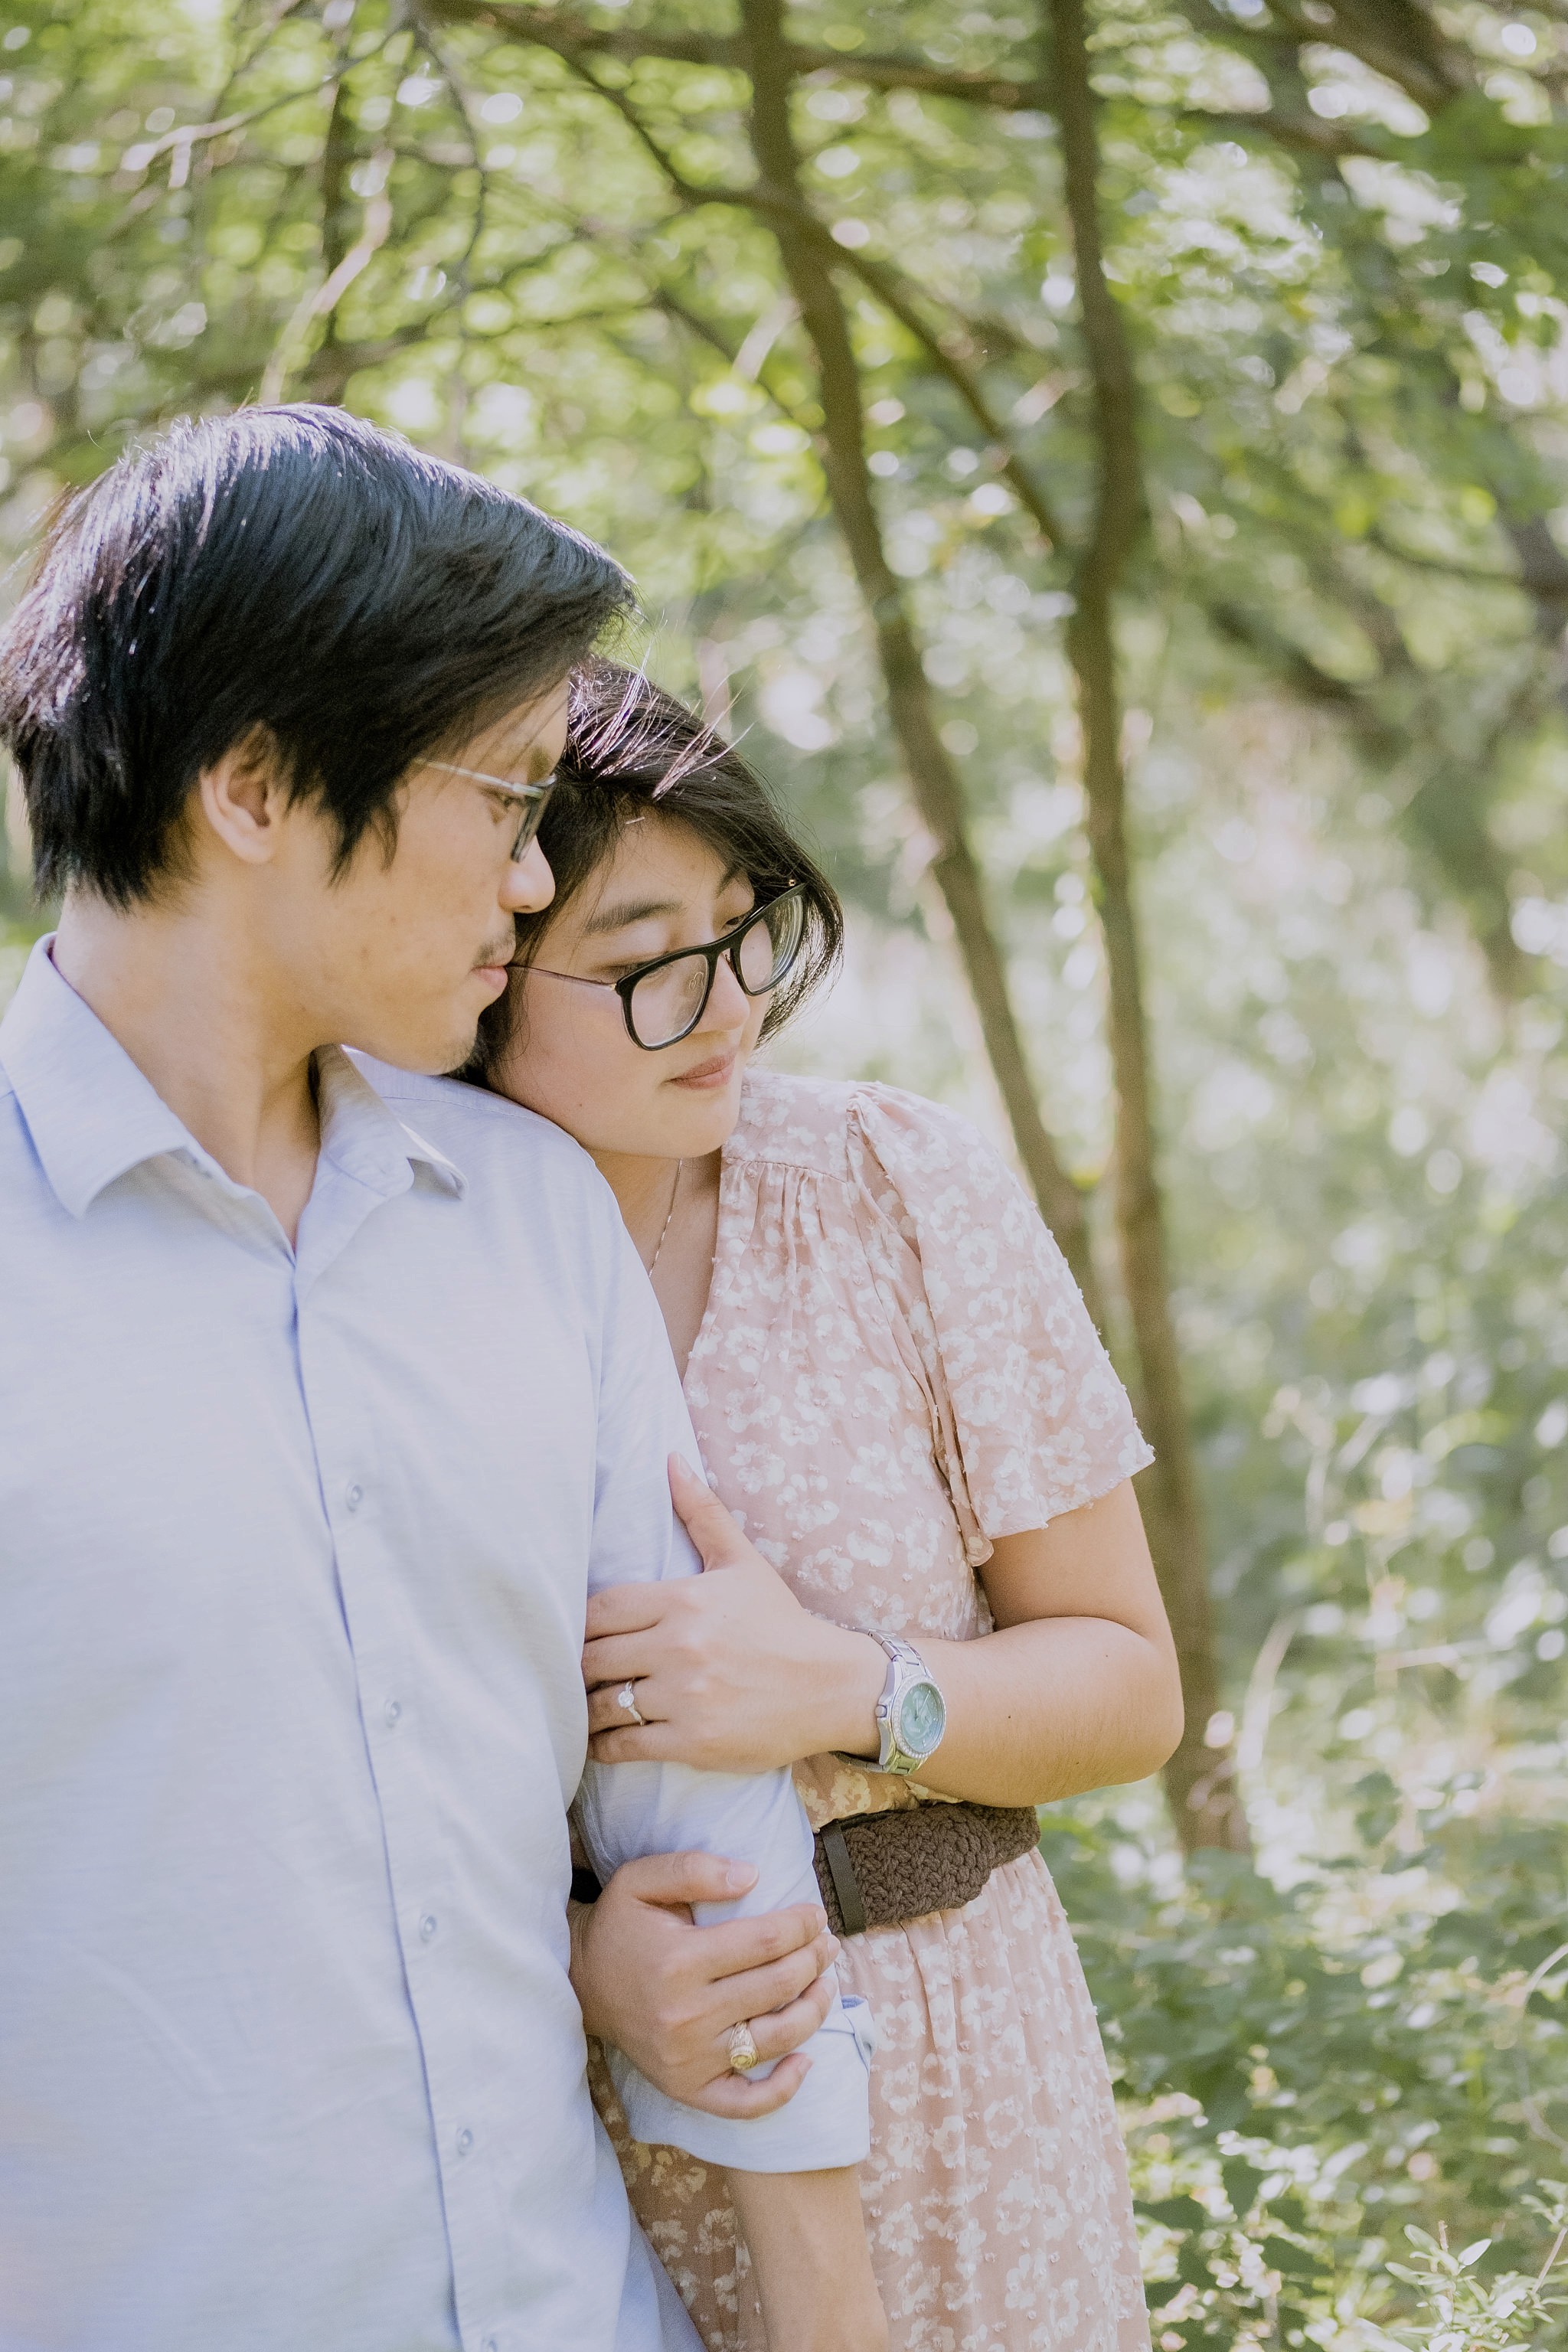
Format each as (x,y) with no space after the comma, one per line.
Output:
(902,1398)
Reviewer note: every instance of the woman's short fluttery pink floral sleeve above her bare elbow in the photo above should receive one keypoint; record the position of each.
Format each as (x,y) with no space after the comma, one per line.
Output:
(1028,1412)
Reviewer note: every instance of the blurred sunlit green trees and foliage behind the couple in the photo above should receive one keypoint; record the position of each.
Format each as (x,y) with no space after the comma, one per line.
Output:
(1115,472)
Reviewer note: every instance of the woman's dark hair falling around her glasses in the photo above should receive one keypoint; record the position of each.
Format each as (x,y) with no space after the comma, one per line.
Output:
(631,749)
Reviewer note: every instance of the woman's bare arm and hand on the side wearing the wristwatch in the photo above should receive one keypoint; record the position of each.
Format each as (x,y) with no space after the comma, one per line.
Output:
(1076,1690)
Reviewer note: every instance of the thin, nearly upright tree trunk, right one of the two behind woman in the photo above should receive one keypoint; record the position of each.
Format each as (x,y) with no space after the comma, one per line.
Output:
(1200,1779)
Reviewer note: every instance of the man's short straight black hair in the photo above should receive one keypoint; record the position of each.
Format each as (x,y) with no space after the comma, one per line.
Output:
(288,577)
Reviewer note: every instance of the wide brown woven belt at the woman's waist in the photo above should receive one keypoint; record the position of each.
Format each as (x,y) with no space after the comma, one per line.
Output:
(885,1869)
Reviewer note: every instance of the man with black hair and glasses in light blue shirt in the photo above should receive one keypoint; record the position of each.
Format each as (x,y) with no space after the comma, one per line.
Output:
(311,1443)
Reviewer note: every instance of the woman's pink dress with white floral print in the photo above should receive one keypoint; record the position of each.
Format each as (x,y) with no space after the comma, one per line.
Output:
(894,1370)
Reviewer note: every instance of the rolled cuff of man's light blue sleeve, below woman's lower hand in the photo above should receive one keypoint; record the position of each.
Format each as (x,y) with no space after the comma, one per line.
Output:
(822,2127)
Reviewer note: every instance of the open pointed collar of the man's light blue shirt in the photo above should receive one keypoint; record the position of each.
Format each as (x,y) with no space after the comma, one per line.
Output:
(93,1116)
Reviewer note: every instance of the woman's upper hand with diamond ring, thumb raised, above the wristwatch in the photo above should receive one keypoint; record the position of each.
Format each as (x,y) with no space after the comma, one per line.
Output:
(730,1671)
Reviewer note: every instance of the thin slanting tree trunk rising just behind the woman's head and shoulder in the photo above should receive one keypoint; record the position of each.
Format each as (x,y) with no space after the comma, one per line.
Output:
(934,780)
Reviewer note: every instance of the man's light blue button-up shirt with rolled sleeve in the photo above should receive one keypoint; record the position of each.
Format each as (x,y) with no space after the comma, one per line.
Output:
(295,1549)
